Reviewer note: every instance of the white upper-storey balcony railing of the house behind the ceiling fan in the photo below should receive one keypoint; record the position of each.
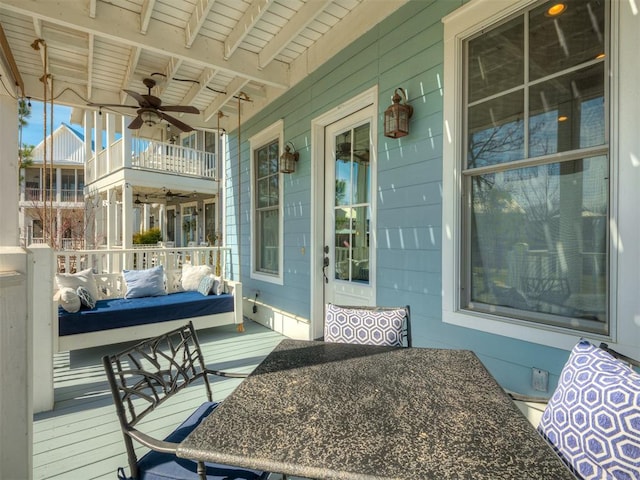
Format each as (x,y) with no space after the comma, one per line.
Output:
(151,156)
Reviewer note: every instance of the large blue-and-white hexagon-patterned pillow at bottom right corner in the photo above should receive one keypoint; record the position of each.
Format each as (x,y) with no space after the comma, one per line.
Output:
(593,417)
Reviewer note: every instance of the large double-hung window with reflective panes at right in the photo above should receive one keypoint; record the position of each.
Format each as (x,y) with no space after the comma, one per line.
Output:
(532,212)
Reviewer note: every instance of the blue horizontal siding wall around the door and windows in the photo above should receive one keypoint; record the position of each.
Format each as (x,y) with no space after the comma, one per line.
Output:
(405,50)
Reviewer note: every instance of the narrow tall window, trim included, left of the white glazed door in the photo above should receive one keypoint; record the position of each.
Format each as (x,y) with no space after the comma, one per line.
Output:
(266,192)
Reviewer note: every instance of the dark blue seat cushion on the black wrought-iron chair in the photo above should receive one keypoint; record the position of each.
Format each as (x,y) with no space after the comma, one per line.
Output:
(164,466)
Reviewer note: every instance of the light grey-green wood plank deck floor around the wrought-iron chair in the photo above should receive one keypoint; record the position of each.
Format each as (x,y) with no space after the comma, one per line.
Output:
(81,439)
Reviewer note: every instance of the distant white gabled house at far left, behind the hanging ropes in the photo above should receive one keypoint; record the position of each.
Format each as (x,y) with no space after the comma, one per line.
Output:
(51,205)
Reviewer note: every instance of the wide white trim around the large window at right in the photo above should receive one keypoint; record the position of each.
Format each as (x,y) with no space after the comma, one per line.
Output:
(458,26)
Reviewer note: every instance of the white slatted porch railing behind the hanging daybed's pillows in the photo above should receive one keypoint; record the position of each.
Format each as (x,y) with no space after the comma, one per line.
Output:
(115,260)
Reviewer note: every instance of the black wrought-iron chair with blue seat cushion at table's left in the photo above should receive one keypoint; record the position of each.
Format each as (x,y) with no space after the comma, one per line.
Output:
(145,376)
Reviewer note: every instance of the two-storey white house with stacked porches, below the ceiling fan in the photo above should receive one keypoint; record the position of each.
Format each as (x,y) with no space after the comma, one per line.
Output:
(135,184)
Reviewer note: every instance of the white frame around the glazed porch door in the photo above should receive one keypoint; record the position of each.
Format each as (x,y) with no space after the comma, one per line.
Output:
(365,99)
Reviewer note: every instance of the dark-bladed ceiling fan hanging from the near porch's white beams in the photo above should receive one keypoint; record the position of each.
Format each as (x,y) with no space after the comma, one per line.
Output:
(151,111)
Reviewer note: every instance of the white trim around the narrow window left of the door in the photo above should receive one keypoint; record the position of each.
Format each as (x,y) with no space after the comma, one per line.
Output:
(269,134)
